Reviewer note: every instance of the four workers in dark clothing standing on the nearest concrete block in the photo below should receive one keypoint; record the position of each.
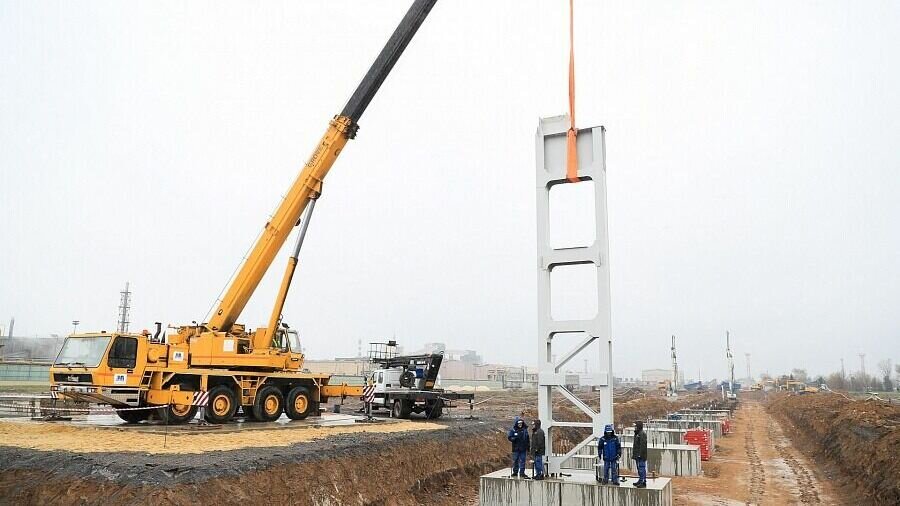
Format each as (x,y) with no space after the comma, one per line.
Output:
(609,448)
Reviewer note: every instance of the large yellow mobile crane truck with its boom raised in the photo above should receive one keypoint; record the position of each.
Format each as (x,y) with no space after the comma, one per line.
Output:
(221,364)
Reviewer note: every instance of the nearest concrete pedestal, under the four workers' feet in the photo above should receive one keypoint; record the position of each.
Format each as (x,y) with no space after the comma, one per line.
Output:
(581,488)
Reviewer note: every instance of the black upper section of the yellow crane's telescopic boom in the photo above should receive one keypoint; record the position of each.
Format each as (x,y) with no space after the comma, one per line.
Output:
(386,59)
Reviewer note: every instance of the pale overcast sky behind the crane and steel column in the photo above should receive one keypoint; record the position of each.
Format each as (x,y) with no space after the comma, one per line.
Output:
(752,151)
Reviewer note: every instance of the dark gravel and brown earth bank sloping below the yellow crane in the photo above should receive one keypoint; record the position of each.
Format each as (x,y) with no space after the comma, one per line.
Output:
(419,467)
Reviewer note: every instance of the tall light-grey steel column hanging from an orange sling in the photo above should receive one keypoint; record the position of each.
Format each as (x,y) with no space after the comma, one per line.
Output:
(594,333)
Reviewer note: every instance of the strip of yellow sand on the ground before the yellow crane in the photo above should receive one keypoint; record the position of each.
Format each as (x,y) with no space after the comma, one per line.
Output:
(84,439)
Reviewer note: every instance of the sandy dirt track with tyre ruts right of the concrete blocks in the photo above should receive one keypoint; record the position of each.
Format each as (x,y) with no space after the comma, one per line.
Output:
(756,464)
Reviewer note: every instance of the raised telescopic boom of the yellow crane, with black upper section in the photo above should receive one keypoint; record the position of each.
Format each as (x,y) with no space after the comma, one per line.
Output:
(309,182)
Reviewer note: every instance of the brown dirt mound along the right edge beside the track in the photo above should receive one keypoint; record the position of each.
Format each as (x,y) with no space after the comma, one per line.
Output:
(860,438)
